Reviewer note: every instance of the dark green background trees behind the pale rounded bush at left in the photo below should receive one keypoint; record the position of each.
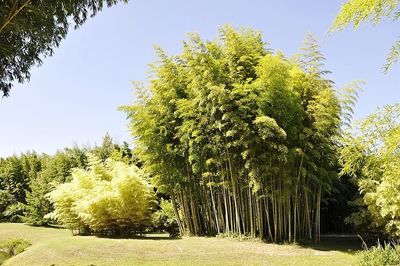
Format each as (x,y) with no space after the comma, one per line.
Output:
(25,179)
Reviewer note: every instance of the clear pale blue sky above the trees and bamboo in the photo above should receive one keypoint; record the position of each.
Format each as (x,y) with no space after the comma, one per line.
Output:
(73,97)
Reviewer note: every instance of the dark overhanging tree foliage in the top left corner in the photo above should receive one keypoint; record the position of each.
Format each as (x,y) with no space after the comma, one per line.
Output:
(31,29)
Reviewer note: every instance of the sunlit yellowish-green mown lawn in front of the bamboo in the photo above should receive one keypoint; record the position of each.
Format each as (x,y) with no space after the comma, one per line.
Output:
(52,246)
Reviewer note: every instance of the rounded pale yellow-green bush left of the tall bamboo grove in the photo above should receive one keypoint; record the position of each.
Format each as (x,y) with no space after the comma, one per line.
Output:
(108,198)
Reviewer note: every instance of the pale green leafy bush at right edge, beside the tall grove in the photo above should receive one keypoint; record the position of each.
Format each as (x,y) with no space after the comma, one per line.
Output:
(372,158)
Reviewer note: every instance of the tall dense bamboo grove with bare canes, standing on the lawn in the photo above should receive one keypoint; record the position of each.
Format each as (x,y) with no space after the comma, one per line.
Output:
(244,139)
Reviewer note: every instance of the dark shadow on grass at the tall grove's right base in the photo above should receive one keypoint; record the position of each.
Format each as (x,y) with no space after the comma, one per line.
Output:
(336,242)
